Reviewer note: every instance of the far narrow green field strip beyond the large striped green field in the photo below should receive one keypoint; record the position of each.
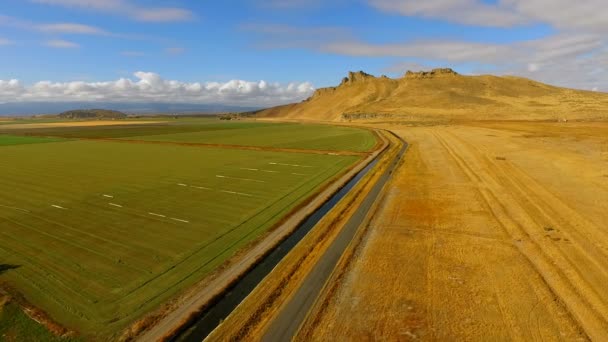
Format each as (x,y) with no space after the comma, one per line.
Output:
(209,131)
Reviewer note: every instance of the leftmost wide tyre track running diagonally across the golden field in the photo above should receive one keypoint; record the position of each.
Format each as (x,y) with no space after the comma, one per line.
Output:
(568,286)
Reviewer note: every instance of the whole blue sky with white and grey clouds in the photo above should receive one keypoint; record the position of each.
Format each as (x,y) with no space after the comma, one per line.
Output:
(220,51)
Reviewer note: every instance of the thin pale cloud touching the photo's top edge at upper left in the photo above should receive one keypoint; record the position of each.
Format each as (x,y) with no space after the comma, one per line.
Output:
(127,8)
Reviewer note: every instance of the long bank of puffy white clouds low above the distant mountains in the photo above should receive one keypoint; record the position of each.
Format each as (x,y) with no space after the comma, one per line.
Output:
(151,87)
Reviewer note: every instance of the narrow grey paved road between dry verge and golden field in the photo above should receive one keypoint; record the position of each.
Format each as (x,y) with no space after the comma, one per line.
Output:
(291,316)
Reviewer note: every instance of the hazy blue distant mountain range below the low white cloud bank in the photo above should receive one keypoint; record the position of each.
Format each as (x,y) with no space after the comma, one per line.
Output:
(37,108)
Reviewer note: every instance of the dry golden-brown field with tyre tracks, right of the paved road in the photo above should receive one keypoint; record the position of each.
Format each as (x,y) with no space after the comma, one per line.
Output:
(485,234)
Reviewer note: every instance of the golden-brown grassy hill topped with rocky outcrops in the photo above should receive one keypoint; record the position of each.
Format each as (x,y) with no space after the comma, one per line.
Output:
(444,94)
